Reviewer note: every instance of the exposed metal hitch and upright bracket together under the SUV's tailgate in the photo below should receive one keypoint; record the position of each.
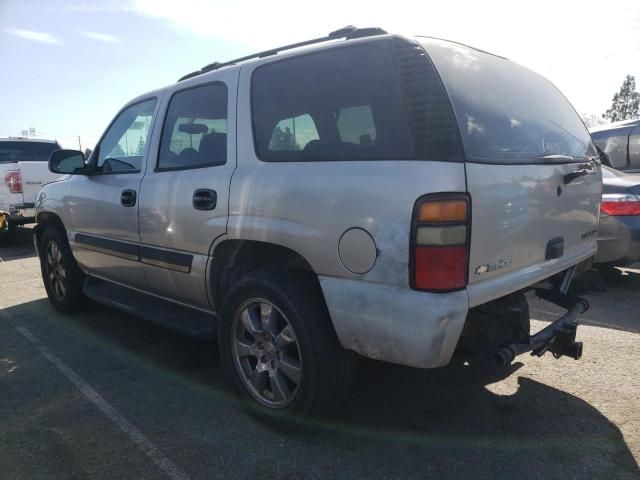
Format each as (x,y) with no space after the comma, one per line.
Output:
(559,337)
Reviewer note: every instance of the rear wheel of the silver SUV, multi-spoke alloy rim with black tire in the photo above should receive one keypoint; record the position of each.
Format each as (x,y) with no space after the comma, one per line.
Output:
(299,334)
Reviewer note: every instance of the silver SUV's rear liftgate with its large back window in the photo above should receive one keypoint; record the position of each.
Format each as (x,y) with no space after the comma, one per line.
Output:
(523,142)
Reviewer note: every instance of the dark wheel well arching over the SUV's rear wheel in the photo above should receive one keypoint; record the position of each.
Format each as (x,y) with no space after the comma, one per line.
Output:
(233,259)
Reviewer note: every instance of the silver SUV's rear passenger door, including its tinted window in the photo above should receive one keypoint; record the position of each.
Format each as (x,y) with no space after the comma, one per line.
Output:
(184,203)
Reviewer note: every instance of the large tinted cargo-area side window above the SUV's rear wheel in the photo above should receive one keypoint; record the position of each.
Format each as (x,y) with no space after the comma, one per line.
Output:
(341,104)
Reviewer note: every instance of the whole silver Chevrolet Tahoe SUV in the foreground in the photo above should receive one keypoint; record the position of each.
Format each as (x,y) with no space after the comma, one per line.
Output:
(361,192)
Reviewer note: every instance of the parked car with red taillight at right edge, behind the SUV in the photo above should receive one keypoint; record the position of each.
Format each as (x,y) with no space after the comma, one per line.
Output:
(619,231)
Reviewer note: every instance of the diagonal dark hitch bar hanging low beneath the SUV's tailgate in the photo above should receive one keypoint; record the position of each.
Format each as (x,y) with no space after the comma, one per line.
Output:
(557,337)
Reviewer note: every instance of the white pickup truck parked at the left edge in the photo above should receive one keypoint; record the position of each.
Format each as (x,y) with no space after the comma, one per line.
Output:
(23,171)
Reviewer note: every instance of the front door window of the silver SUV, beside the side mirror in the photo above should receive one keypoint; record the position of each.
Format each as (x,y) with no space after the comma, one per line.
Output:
(124,144)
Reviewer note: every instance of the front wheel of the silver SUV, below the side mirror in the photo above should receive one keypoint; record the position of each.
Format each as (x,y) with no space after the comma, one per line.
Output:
(62,277)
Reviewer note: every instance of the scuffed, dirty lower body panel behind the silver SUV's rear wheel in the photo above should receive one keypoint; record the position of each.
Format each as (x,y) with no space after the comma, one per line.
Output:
(396,324)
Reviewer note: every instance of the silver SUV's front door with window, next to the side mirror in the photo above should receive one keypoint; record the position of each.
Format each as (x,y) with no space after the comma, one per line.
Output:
(104,205)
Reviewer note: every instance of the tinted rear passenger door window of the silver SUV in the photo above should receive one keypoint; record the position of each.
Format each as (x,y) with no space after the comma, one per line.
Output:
(195,129)
